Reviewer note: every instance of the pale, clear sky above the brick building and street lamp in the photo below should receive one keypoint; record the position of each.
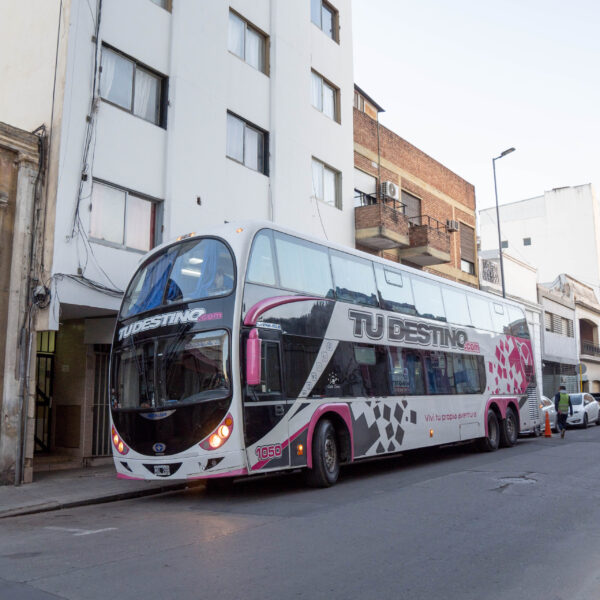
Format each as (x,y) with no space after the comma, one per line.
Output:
(463,80)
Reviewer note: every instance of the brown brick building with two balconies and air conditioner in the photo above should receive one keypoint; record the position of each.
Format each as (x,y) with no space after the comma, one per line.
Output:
(409,207)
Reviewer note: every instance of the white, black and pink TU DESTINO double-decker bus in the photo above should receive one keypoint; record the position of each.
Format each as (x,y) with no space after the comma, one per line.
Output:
(254,349)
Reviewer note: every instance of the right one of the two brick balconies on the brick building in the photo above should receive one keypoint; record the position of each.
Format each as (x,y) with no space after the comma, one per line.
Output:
(429,242)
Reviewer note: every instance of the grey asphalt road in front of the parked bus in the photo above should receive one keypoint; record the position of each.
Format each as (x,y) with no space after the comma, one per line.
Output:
(449,523)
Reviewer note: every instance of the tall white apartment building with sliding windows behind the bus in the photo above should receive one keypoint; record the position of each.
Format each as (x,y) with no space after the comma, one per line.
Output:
(163,117)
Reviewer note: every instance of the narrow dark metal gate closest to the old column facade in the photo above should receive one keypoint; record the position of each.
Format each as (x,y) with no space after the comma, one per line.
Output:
(46,347)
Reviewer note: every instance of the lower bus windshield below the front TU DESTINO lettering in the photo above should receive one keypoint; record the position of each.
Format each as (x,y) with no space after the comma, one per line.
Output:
(167,372)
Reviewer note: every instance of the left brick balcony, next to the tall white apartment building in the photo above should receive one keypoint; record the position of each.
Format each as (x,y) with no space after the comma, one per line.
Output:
(380,225)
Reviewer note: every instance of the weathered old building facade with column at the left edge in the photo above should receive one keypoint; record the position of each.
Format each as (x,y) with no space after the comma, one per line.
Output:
(22,173)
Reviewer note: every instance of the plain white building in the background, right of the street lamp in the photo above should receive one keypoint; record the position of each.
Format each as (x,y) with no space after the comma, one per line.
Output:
(558,232)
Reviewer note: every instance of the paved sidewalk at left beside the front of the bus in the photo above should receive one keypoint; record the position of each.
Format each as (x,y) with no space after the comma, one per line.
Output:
(53,490)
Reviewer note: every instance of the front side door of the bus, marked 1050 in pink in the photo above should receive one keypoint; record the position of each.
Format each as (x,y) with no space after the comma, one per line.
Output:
(265,410)
